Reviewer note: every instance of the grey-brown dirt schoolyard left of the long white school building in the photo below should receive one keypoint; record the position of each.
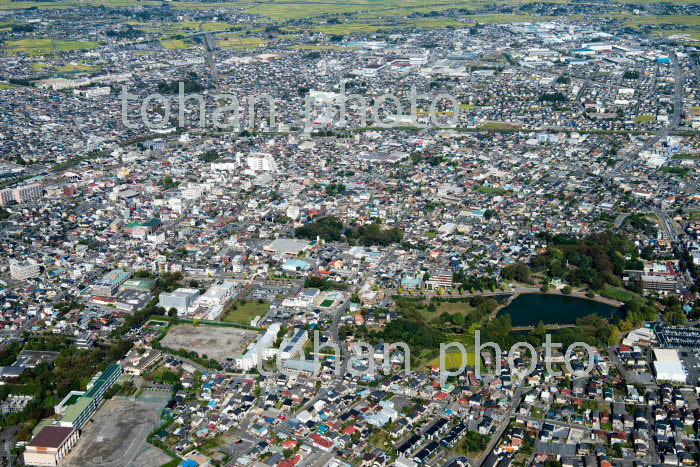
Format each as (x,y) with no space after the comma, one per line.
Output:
(217,342)
